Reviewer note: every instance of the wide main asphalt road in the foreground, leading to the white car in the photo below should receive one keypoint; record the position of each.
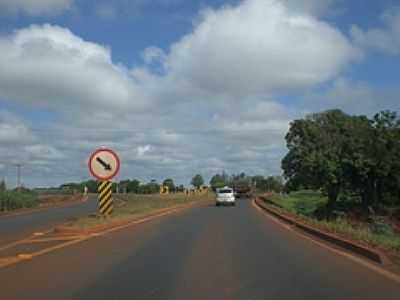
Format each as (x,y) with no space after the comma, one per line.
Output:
(202,253)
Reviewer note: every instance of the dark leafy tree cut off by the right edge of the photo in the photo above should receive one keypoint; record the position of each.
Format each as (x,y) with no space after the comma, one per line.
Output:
(374,157)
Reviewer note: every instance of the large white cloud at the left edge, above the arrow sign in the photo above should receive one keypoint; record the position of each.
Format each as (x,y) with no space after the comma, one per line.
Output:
(50,66)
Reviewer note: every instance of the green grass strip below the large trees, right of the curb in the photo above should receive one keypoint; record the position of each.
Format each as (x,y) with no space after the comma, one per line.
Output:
(304,204)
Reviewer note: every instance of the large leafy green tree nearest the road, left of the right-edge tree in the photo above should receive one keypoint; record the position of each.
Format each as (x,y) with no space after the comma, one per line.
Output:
(316,152)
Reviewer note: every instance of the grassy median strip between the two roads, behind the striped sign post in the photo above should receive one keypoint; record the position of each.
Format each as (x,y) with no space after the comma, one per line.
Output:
(135,206)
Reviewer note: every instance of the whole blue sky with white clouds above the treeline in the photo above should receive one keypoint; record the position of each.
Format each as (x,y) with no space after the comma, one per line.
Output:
(180,87)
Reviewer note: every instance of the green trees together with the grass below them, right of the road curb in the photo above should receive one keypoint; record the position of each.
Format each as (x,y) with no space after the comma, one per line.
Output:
(343,175)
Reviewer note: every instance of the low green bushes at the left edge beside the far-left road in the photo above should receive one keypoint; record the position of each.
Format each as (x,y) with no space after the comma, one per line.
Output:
(12,200)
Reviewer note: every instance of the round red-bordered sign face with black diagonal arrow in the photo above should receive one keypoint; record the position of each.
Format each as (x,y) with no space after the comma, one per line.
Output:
(104,164)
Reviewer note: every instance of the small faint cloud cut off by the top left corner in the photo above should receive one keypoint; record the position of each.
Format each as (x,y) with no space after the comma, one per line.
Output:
(35,7)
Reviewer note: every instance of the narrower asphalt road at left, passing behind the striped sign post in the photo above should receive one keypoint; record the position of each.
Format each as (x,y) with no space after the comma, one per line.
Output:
(15,227)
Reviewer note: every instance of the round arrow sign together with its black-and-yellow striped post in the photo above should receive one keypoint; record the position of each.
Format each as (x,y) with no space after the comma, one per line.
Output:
(104,164)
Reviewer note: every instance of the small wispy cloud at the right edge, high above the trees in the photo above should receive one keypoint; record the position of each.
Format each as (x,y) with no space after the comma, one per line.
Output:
(385,39)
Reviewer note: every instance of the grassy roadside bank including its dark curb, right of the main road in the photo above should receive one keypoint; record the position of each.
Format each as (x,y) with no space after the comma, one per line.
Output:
(359,238)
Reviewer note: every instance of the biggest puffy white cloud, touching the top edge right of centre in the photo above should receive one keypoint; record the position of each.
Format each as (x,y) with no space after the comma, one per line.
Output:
(260,46)
